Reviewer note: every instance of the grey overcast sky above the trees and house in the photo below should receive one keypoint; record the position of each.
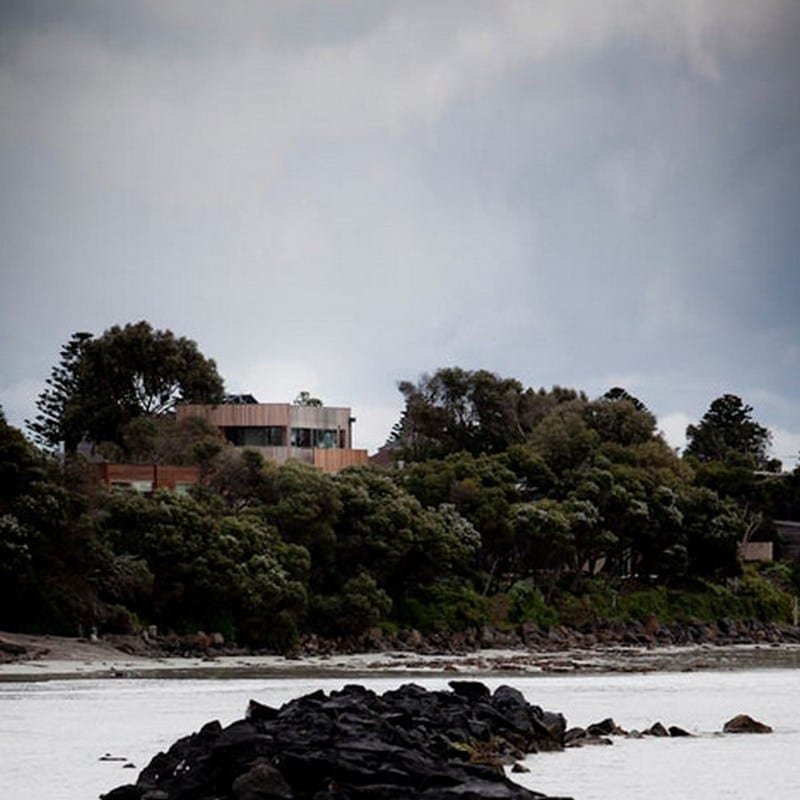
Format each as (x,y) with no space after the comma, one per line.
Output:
(336,196)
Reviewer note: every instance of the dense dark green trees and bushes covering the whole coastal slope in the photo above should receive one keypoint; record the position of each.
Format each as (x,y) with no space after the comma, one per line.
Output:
(504,505)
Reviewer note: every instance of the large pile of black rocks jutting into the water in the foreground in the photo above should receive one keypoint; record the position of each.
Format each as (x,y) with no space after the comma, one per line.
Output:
(354,744)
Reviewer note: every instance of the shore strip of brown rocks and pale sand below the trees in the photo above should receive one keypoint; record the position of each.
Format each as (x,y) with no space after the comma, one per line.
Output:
(617,648)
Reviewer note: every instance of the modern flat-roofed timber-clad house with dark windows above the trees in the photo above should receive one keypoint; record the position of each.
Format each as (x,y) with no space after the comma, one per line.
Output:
(318,435)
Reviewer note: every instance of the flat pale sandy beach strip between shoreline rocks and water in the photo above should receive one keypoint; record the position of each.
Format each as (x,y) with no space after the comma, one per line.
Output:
(62,658)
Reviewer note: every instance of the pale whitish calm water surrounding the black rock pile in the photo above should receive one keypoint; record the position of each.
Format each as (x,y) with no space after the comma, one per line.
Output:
(53,734)
